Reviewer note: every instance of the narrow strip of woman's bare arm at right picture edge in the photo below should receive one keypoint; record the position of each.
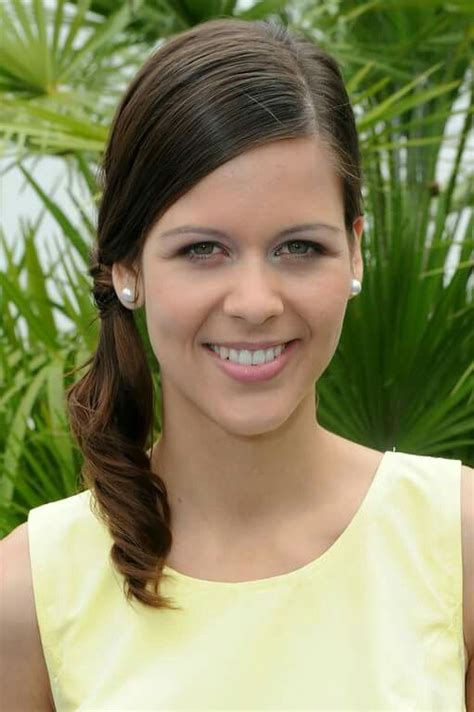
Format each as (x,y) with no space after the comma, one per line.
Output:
(467,527)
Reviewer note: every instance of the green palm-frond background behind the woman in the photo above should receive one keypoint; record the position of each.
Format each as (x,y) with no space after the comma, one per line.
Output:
(403,374)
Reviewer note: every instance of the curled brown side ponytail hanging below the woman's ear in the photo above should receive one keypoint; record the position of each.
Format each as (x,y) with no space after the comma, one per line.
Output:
(111,414)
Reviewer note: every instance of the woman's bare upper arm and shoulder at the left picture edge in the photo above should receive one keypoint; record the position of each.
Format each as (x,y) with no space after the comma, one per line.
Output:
(24,679)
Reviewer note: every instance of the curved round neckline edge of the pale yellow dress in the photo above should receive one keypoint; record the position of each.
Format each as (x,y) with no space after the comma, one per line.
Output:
(291,576)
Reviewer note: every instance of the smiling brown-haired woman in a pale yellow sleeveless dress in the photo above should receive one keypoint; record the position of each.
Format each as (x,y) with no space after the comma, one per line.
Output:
(257,560)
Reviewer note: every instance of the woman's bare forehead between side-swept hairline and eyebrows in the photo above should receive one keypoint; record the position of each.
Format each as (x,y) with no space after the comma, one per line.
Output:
(285,179)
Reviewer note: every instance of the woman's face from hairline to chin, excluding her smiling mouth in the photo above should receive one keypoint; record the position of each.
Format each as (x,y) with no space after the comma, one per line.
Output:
(249,284)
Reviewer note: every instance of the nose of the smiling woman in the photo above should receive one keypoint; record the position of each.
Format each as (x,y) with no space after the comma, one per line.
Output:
(254,294)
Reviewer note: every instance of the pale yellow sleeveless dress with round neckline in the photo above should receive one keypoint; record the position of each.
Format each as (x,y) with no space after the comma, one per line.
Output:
(373,624)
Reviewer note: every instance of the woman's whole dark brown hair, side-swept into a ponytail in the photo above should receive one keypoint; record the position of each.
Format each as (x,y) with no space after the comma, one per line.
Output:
(205,96)
